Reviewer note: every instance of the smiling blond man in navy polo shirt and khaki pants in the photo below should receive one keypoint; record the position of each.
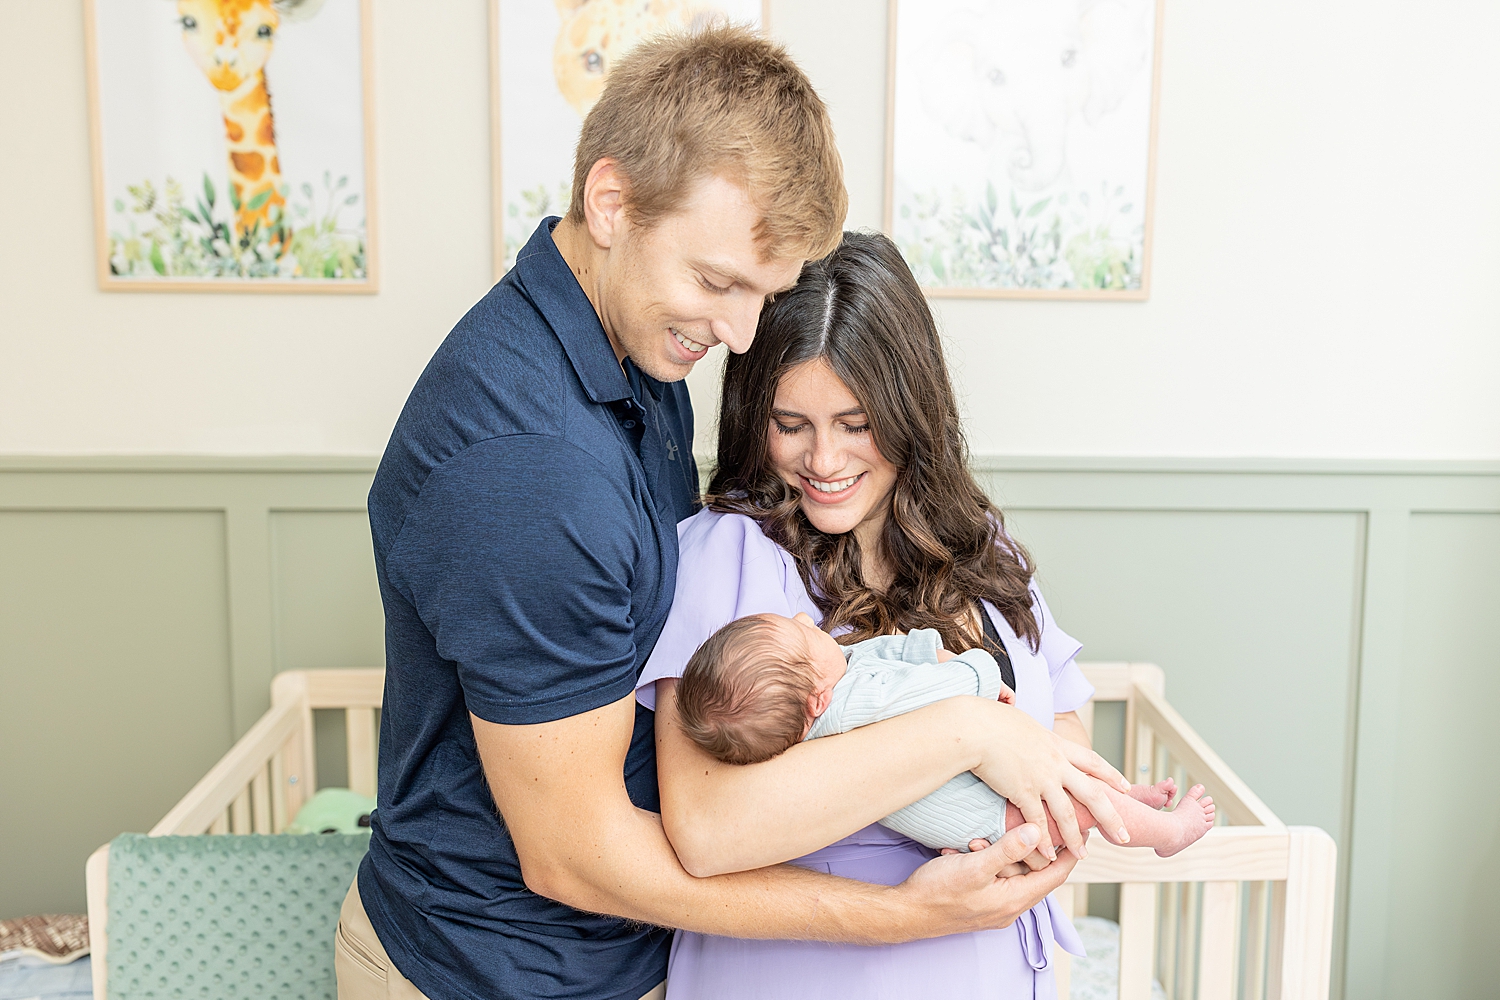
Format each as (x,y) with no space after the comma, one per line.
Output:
(524,521)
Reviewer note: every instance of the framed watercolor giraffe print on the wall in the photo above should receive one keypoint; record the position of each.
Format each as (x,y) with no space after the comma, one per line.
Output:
(233,145)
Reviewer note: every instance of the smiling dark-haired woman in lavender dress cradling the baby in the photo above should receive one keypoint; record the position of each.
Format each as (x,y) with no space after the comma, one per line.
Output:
(842,491)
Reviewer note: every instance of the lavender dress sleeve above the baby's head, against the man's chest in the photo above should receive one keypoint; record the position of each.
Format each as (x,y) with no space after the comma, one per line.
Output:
(727,569)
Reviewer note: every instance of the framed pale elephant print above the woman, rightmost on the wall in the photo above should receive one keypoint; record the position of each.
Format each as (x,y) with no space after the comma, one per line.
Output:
(1021,146)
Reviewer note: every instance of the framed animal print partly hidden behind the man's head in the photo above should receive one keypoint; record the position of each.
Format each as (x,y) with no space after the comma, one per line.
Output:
(548,65)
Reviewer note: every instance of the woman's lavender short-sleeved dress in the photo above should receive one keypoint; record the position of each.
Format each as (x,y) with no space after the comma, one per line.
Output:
(727,570)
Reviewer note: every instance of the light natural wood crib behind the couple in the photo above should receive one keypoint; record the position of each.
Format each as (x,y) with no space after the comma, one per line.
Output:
(1246,914)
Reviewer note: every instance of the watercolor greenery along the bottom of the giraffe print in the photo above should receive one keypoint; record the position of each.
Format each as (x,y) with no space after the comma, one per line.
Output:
(164,236)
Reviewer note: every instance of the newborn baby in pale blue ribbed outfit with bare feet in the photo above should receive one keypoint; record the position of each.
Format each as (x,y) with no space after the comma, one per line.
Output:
(766,683)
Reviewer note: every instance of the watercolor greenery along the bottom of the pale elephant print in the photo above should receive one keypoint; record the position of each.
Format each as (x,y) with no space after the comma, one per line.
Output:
(1066,241)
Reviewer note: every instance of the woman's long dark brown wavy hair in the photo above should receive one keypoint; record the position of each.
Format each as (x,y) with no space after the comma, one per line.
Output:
(860,311)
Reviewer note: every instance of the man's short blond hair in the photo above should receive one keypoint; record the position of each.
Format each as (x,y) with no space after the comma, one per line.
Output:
(719,101)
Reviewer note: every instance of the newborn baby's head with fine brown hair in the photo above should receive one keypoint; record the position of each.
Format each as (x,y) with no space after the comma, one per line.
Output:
(757,686)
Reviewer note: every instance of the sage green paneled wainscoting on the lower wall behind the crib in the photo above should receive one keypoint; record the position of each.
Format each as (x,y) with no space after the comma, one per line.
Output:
(1331,629)
